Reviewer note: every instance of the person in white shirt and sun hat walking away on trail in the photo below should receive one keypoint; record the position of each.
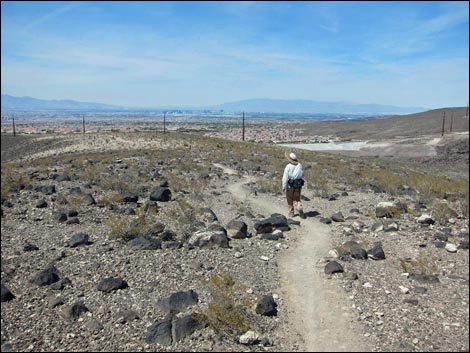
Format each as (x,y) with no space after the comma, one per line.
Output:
(292,182)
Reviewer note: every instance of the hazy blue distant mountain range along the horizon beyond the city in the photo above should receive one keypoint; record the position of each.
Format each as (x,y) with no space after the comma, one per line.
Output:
(274,106)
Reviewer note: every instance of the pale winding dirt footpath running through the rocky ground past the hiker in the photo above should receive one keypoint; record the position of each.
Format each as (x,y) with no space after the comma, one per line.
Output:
(318,309)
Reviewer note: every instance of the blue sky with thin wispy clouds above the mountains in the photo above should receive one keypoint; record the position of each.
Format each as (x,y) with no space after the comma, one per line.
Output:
(201,53)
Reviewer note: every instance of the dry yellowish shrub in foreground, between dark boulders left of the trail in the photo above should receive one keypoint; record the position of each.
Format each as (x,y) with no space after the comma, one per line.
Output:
(228,311)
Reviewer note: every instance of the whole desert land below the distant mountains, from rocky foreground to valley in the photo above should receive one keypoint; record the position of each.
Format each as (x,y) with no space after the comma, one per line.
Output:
(139,239)
